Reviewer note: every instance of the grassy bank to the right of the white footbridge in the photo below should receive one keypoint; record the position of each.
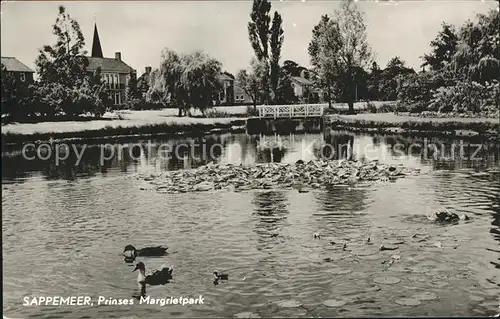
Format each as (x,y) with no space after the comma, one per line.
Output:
(387,123)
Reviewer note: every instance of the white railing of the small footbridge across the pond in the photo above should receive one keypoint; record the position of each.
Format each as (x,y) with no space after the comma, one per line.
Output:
(289,111)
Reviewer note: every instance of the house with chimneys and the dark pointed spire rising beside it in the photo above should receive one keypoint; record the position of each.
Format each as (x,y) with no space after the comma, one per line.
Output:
(114,71)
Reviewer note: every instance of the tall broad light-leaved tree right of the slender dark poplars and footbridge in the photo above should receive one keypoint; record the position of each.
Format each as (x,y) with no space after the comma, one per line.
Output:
(339,47)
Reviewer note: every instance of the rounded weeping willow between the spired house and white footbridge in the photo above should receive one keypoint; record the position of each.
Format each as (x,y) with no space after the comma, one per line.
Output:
(185,81)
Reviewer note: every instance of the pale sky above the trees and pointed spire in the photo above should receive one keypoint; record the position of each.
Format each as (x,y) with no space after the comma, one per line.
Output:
(141,29)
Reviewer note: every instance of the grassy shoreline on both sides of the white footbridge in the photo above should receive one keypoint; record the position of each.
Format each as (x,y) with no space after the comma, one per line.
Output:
(145,124)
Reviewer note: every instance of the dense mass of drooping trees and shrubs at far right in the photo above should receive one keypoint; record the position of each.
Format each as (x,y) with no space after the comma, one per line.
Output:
(464,69)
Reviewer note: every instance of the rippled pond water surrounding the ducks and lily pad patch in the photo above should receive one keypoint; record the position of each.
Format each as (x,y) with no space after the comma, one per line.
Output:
(65,226)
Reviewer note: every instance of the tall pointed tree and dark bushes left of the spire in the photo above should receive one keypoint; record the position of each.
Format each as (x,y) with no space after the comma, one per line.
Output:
(64,87)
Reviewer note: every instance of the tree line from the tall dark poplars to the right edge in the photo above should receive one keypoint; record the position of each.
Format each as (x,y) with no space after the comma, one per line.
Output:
(460,73)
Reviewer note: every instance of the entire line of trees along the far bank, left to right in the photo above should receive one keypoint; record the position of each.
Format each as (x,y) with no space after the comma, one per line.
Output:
(459,74)
